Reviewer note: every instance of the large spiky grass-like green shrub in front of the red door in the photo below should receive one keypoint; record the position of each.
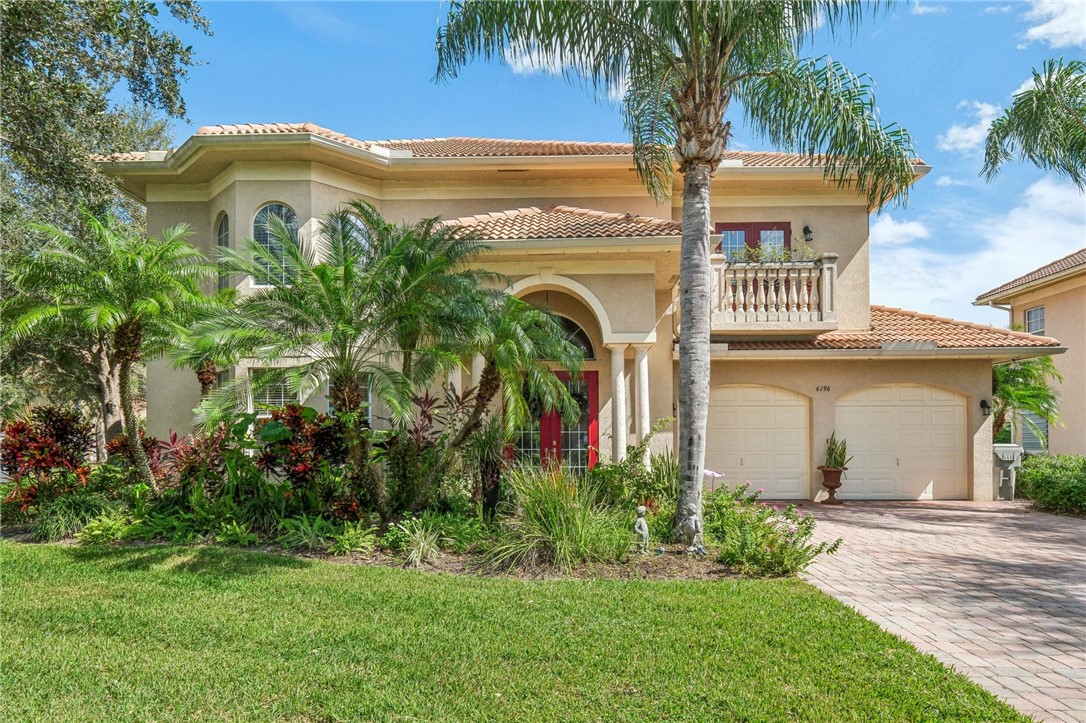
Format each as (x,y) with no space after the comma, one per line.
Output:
(559,521)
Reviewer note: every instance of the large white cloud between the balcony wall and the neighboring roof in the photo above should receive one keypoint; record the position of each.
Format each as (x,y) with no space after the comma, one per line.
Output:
(1047,223)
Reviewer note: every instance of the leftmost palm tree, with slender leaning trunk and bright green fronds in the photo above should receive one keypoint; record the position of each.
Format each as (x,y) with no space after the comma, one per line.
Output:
(128,291)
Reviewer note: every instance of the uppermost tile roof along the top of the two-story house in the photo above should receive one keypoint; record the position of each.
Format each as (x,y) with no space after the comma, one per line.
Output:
(462,148)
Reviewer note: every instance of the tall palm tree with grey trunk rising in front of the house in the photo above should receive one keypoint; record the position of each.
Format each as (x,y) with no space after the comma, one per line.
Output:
(685,64)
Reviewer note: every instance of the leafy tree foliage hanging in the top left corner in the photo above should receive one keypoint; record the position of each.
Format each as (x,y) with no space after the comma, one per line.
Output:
(62,64)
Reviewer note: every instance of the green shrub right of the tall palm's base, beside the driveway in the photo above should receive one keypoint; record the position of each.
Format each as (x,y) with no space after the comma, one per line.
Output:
(760,540)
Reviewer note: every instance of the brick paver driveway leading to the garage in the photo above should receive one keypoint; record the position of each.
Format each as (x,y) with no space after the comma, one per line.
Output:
(992,589)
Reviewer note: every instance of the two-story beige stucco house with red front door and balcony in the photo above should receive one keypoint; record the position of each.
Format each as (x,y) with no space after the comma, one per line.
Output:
(799,351)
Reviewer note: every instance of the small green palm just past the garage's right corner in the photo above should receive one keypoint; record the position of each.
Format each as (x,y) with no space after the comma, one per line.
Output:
(1021,389)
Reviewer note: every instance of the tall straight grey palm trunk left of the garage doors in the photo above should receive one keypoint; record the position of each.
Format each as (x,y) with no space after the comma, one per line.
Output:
(694,337)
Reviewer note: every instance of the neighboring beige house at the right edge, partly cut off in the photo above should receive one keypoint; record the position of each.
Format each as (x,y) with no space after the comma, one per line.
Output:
(1052,302)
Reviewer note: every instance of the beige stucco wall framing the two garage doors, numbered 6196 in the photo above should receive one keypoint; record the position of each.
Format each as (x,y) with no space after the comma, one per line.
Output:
(973,379)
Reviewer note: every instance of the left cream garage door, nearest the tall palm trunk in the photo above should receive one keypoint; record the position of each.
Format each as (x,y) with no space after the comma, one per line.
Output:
(760,435)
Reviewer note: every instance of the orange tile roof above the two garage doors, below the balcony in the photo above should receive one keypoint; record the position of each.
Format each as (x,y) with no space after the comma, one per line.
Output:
(896,327)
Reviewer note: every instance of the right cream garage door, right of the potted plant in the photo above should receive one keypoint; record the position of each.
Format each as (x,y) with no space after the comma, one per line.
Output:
(908,442)
